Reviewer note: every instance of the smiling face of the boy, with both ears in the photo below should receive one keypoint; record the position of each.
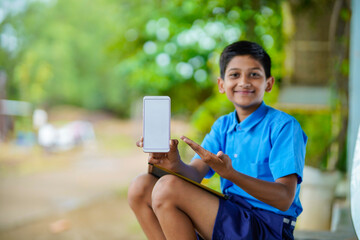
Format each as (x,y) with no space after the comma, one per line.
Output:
(245,83)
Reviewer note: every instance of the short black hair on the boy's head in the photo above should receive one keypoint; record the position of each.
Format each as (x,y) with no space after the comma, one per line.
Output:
(242,48)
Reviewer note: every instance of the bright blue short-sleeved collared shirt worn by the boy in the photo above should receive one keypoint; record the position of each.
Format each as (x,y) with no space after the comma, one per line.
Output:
(268,144)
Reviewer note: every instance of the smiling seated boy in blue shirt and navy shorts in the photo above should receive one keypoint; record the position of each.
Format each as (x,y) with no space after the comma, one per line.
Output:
(257,151)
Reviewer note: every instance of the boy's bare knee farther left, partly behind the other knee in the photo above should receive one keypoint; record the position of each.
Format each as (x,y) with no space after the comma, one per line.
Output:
(140,189)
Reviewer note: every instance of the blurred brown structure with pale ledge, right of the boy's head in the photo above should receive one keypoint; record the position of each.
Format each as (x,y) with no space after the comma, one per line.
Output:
(309,54)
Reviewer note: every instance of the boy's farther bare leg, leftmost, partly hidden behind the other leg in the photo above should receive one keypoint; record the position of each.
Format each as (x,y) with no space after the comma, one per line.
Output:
(139,198)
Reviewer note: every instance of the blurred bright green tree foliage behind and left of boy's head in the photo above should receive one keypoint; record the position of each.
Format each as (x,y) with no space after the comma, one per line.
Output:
(107,54)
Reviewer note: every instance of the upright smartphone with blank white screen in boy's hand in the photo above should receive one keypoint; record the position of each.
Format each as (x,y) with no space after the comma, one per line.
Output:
(156,123)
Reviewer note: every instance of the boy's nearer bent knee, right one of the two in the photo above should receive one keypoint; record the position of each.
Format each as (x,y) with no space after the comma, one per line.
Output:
(165,192)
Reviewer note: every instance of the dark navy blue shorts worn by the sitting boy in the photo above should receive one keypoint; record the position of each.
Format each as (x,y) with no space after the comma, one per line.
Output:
(237,219)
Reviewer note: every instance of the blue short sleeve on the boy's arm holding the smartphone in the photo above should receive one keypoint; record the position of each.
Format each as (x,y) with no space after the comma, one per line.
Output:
(212,143)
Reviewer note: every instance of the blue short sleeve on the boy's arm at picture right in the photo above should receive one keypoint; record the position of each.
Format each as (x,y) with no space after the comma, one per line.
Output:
(287,155)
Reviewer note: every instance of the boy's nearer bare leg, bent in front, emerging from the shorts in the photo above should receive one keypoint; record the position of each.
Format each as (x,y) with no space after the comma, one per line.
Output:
(180,207)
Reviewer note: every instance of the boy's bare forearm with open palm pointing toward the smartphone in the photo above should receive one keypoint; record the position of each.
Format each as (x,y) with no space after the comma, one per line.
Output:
(279,194)
